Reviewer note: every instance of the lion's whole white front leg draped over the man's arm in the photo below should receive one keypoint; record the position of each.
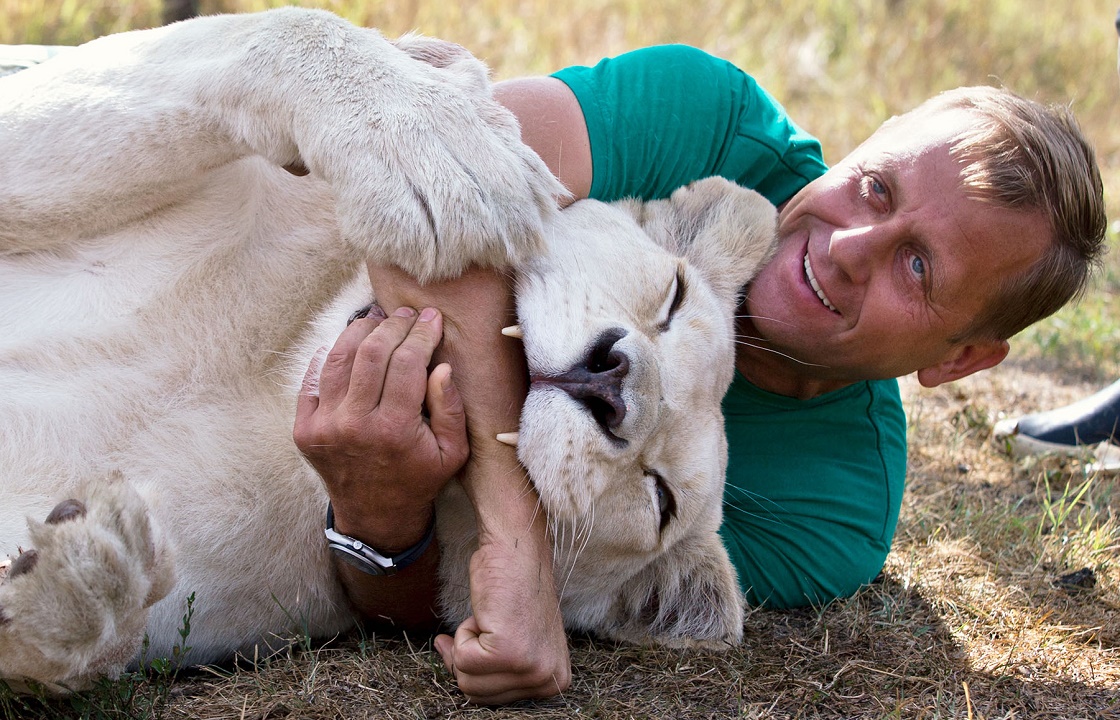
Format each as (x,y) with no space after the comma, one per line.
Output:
(428,171)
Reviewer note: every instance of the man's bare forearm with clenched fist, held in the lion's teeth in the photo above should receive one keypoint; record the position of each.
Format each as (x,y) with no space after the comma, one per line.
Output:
(514,647)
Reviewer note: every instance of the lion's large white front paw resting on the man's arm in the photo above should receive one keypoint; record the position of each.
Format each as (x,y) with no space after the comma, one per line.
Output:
(436,179)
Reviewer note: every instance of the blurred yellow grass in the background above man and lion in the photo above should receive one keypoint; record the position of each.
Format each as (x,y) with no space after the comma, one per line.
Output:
(841,68)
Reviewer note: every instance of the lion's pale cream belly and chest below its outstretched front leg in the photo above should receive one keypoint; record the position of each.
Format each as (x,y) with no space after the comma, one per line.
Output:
(171,356)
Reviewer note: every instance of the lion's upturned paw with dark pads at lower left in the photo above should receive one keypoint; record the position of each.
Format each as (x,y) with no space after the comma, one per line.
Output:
(74,606)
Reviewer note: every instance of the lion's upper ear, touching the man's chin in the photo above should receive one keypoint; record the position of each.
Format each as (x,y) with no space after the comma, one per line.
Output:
(724,230)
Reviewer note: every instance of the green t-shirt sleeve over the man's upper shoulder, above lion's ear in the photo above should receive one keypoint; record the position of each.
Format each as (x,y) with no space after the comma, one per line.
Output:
(664,117)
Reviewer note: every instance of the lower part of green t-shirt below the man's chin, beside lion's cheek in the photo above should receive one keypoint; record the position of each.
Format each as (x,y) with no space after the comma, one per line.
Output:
(814,490)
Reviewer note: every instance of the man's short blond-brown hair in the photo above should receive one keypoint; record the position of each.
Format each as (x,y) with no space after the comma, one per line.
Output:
(1022,155)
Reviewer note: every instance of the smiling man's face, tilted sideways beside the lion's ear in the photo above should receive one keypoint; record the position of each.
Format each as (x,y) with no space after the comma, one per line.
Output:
(885,259)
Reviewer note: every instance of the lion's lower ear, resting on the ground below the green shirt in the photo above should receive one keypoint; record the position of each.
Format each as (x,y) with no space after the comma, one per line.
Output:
(689,597)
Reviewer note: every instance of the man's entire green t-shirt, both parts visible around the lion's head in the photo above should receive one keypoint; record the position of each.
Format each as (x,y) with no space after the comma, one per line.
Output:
(814,487)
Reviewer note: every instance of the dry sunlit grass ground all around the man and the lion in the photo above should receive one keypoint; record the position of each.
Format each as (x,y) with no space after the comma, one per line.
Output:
(968,621)
